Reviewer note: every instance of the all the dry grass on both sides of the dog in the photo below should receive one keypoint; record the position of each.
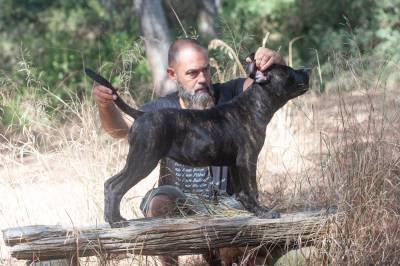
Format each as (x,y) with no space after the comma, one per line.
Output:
(340,148)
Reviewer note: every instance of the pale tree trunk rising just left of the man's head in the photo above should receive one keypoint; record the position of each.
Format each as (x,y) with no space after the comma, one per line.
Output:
(155,32)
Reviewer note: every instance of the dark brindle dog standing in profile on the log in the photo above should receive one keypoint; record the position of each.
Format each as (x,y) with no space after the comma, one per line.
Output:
(230,134)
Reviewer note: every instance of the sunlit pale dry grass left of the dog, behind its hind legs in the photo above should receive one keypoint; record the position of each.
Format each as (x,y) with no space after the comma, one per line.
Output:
(52,171)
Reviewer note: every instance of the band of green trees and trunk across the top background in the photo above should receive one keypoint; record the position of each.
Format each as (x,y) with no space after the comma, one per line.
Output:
(127,41)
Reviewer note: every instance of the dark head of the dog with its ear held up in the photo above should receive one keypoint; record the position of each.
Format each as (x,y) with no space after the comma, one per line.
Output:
(280,80)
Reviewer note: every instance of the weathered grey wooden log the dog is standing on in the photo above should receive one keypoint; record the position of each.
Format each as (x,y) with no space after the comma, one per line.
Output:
(156,236)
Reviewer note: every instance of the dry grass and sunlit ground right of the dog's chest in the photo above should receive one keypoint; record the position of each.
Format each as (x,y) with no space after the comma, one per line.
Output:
(342,149)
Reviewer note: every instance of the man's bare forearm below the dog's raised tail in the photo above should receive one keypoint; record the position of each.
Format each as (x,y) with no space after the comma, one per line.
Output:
(113,122)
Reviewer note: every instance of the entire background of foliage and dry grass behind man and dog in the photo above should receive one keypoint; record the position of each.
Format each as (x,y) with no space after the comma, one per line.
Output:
(336,145)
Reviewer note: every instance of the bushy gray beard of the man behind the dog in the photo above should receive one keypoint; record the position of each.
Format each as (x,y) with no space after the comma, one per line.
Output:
(199,101)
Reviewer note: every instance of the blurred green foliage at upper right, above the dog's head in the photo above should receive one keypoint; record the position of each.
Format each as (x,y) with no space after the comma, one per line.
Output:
(354,28)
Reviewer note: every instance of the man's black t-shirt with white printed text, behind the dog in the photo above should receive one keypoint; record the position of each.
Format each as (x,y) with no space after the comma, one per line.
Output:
(198,180)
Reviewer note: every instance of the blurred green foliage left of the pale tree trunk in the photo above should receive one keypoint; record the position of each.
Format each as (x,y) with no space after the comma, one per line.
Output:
(56,39)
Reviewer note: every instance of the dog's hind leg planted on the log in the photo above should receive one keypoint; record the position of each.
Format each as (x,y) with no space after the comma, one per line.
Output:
(139,164)
